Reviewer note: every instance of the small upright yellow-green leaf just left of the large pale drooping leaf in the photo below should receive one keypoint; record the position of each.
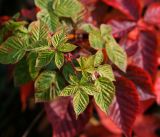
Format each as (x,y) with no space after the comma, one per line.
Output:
(98,58)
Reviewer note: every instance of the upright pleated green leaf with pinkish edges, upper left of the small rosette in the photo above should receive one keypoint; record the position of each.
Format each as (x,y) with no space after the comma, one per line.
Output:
(38,30)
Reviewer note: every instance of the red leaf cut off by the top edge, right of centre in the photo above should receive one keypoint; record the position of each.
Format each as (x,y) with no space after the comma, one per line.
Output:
(131,8)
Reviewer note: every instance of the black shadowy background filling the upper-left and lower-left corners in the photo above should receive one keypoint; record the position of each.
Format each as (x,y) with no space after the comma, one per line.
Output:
(14,121)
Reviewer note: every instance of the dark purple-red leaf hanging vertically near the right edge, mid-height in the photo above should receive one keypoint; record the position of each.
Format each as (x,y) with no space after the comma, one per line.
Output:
(147,56)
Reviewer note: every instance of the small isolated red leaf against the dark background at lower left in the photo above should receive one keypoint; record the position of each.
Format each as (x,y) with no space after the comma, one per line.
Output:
(26,91)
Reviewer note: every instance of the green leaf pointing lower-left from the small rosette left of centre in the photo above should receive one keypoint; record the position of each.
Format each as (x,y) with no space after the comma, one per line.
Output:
(44,58)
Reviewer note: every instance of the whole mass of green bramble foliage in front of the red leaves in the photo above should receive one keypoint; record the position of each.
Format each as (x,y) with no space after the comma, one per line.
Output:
(41,48)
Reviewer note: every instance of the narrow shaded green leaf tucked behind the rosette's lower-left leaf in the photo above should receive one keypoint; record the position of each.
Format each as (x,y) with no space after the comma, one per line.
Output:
(33,71)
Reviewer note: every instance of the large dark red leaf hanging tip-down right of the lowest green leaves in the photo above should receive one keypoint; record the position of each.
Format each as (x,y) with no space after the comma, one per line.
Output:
(124,110)
